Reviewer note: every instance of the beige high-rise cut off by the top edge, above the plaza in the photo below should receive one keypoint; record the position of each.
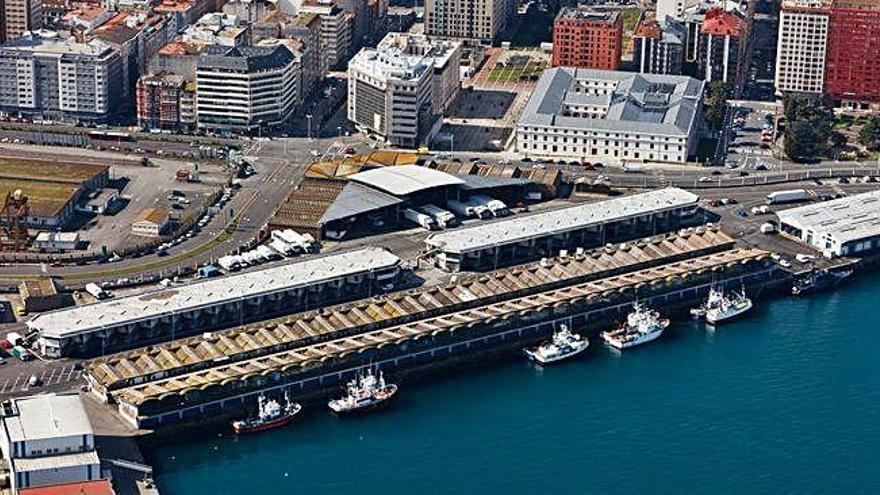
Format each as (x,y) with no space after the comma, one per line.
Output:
(475,20)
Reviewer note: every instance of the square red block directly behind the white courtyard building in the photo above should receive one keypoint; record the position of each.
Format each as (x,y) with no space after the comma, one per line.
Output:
(587,38)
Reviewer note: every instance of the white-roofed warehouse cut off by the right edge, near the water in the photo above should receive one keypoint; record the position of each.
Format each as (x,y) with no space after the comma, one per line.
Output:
(842,227)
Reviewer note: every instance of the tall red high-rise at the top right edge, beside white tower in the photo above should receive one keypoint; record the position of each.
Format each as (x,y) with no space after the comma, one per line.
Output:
(852,66)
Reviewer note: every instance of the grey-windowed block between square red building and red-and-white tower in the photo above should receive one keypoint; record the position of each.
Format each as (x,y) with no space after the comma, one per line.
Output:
(659,45)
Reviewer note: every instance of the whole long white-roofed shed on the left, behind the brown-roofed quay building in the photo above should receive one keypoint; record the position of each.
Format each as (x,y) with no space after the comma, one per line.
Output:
(174,312)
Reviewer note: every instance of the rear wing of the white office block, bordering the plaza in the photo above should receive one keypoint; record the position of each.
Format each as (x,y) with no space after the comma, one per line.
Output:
(446,55)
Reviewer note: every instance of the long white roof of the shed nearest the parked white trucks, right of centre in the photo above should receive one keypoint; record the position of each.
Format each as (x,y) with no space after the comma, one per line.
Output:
(518,229)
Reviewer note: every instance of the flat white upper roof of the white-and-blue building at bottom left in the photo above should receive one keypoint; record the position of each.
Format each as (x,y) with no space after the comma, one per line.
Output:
(42,417)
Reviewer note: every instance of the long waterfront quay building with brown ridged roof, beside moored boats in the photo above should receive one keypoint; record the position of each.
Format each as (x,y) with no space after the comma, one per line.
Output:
(313,352)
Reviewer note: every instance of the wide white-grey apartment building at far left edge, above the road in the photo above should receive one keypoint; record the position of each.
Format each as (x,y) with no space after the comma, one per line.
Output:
(45,75)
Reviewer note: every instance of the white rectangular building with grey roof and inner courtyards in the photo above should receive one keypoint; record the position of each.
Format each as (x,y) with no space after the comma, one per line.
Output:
(610,116)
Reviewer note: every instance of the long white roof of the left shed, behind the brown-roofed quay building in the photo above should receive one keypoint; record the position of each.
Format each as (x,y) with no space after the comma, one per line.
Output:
(158,303)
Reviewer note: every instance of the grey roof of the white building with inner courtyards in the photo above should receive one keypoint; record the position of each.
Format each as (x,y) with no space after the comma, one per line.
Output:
(646,103)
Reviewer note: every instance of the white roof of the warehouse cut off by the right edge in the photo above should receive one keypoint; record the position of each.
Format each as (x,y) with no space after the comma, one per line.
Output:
(844,220)
